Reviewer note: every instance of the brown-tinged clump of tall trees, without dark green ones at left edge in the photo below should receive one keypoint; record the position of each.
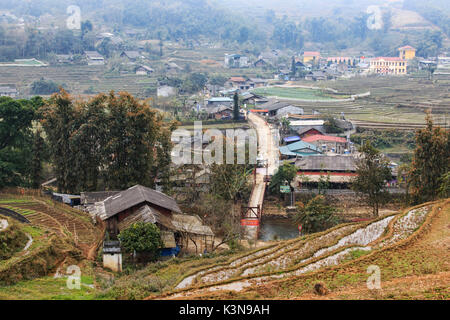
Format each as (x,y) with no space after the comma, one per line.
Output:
(114,138)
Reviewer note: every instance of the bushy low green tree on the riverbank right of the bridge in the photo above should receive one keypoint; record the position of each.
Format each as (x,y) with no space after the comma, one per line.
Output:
(316,215)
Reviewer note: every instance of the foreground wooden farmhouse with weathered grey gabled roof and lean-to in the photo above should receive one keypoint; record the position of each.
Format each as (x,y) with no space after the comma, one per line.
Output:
(141,204)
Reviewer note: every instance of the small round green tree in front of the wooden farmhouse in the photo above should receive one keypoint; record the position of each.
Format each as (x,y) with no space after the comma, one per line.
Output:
(141,237)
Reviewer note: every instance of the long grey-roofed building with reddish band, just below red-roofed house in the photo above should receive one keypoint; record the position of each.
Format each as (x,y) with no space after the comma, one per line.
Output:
(339,170)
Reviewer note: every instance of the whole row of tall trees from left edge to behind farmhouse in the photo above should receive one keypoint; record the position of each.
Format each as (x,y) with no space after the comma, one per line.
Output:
(109,142)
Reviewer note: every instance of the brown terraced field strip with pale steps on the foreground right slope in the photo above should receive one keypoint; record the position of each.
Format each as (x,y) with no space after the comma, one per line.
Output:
(306,255)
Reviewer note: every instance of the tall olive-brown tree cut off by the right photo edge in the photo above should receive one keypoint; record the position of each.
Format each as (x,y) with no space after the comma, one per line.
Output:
(430,162)
